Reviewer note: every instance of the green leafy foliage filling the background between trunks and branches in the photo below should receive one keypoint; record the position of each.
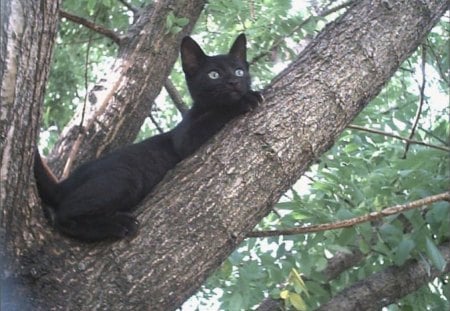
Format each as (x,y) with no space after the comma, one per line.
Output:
(363,172)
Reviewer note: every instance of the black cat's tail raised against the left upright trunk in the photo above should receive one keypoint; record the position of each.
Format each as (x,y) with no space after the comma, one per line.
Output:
(46,182)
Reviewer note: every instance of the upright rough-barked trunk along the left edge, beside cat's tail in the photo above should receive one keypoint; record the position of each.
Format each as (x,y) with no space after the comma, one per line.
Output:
(27,37)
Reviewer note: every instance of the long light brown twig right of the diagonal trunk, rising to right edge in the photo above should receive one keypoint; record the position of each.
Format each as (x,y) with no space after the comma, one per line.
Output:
(445,196)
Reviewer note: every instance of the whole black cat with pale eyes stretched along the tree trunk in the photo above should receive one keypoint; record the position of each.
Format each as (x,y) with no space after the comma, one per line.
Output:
(95,202)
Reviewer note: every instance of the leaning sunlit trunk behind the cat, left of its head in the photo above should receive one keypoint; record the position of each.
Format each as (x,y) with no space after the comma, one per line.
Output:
(119,103)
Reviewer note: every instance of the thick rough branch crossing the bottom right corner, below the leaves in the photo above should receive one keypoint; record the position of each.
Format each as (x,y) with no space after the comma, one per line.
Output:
(385,287)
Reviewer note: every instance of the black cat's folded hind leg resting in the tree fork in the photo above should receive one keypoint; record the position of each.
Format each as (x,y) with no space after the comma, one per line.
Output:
(97,210)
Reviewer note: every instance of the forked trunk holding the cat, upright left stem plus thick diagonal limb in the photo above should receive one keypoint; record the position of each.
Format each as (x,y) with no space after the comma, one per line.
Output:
(204,208)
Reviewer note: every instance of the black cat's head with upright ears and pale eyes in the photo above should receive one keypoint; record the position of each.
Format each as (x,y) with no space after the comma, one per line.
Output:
(218,80)
